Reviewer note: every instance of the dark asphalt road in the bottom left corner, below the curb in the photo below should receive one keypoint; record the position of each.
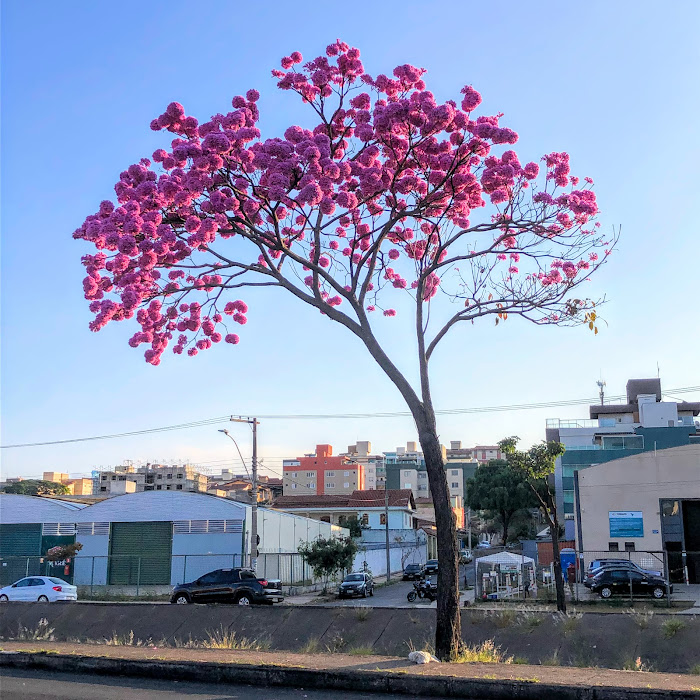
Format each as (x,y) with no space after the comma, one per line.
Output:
(36,685)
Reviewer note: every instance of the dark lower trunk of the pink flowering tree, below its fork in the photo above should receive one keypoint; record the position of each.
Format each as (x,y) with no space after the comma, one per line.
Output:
(448,632)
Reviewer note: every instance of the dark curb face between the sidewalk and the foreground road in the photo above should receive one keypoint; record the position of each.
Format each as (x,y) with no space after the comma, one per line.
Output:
(364,681)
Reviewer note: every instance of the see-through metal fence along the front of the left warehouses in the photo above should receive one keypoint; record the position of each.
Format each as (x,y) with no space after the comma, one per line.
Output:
(136,575)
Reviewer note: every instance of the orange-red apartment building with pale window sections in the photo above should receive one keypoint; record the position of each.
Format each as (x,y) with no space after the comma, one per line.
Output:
(321,474)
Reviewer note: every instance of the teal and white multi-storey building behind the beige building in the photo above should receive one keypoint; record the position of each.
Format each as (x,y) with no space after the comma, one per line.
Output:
(644,423)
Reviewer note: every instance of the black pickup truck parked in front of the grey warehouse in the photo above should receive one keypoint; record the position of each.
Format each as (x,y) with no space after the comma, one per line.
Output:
(240,586)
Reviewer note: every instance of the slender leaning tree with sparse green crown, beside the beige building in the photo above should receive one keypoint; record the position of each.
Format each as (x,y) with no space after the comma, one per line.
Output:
(537,466)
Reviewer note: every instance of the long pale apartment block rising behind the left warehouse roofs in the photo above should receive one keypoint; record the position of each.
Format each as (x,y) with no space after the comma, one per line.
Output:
(153,477)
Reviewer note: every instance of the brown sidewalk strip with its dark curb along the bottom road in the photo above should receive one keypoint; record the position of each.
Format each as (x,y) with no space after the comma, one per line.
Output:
(373,674)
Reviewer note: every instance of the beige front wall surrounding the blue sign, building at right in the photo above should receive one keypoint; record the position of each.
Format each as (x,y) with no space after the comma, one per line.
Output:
(636,483)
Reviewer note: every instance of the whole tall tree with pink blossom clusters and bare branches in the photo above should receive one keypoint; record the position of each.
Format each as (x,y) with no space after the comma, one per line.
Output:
(375,201)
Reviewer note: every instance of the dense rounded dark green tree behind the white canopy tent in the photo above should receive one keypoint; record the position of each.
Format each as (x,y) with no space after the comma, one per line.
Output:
(501,491)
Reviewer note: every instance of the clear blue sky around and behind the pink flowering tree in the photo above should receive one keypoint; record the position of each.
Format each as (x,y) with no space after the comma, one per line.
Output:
(614,84)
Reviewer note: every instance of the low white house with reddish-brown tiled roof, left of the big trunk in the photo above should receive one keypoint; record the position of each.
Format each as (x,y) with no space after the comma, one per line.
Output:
(369,507)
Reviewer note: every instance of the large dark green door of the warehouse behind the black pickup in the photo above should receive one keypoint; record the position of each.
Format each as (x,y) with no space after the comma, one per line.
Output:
(140,553)
